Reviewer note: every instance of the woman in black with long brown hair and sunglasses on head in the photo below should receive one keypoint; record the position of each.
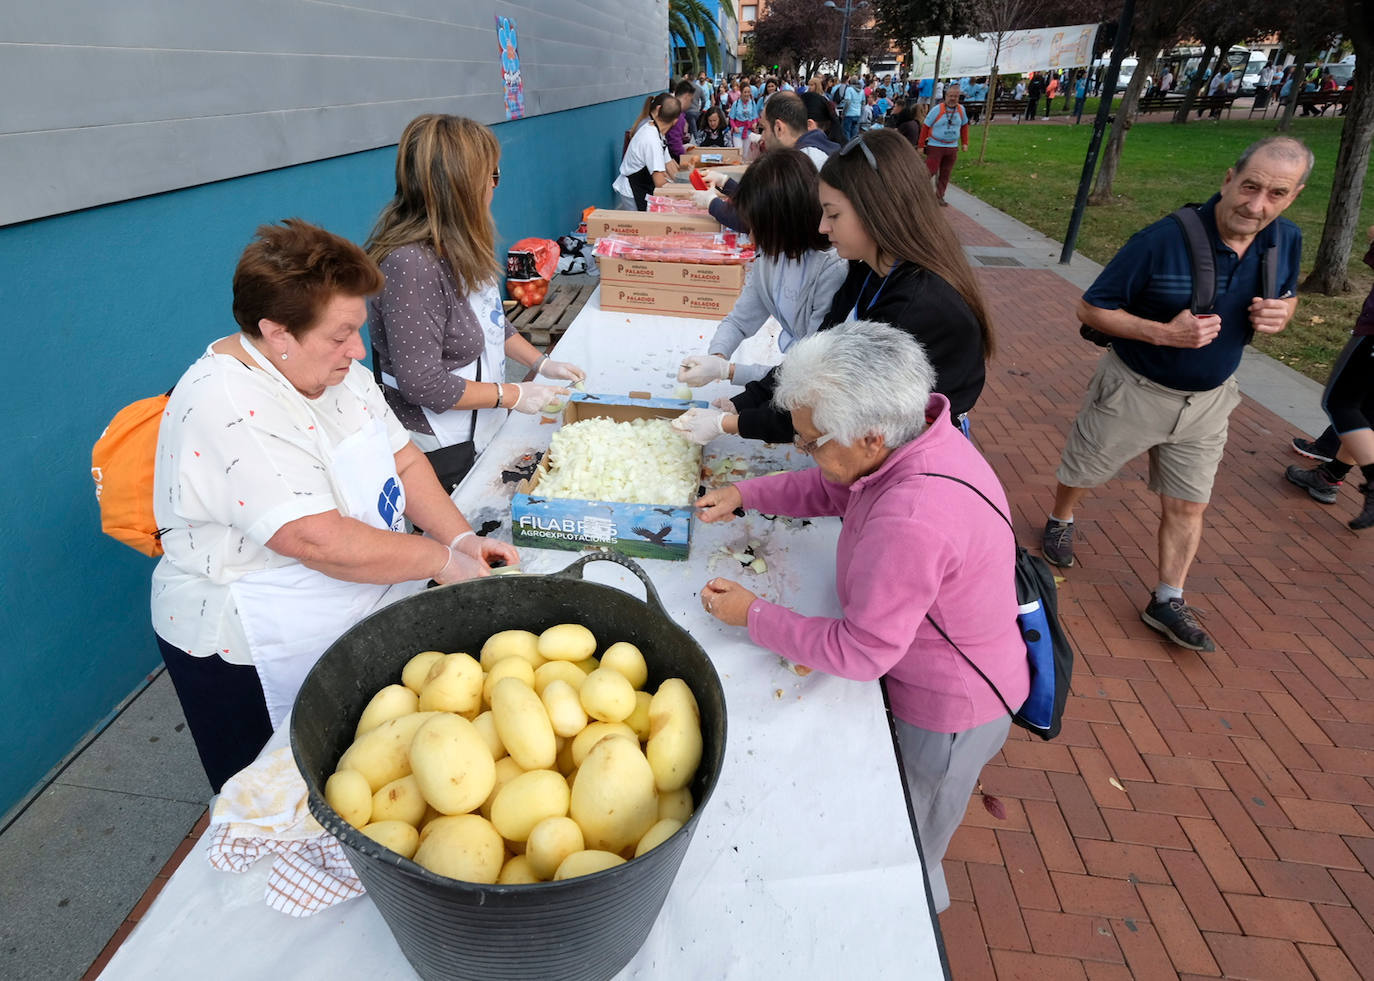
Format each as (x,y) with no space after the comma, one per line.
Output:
(906,269)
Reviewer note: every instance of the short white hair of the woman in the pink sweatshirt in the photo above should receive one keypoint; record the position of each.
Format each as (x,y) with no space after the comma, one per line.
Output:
(859,379)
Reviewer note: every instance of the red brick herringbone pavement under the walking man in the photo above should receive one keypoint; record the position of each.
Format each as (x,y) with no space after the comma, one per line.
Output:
(1202,815)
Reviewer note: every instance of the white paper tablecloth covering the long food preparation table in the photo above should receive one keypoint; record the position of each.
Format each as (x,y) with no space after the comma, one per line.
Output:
(803,864)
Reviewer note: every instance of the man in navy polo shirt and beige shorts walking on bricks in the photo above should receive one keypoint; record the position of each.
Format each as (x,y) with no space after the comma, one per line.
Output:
(1167,384)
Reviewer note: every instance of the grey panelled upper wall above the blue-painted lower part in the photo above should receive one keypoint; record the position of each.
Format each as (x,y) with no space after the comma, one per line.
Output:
(120,101)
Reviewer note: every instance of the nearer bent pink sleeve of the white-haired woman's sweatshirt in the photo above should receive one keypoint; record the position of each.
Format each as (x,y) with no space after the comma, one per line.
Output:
(890,583)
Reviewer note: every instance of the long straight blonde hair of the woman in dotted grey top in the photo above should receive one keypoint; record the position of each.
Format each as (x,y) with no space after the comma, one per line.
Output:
(444,166)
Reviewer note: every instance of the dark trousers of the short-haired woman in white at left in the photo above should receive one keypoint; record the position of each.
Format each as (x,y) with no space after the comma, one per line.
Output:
(225,708)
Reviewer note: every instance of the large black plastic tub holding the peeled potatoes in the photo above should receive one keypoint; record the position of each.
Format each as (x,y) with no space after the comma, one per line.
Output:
(581,929)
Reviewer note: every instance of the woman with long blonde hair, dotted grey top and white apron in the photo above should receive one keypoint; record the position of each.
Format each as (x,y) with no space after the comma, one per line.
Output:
(440,336)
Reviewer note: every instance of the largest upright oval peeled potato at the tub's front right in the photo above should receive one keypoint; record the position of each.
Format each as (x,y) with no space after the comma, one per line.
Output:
(613,800)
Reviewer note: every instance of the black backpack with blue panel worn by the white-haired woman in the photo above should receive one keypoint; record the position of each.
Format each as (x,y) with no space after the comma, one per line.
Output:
(1049,652)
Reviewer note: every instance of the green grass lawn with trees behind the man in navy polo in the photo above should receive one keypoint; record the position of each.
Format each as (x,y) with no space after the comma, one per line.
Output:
(1033,174)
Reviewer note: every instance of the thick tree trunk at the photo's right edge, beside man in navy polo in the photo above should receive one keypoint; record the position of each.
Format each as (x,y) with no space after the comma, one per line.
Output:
(1331,271)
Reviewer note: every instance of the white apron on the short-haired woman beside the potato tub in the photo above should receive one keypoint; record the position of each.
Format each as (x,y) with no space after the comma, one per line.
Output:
(292,615)
